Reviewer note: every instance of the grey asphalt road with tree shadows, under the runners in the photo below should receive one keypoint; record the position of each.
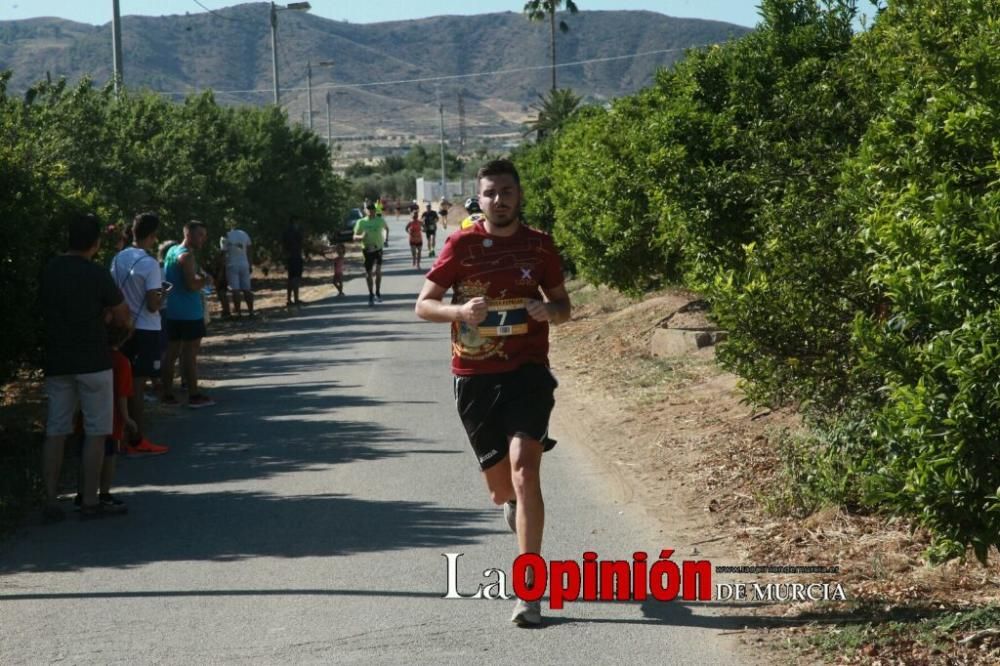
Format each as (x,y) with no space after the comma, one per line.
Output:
(304,518)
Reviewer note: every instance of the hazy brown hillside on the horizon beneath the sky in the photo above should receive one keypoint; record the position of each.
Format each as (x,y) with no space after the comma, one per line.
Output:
(230,50)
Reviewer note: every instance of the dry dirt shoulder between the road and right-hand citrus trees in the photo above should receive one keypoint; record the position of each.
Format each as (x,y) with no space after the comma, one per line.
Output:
(676,432)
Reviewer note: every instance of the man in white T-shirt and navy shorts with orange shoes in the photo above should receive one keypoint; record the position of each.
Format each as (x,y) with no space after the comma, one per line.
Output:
(137,274)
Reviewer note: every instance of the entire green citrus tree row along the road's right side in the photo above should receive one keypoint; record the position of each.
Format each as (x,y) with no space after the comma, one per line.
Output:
(835,196)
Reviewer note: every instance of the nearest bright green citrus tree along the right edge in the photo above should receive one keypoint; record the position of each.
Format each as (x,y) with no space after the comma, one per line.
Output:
(926,184)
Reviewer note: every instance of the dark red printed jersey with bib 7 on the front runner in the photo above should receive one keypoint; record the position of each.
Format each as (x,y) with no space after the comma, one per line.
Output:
(506,271)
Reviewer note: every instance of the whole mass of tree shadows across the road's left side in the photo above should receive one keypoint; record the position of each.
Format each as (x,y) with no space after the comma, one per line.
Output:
(282,409)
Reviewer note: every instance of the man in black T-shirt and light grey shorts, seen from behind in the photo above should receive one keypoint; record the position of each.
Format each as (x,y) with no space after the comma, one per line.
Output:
(77,298)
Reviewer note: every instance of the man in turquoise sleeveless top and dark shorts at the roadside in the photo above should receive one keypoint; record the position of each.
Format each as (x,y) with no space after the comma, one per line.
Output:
(185,322)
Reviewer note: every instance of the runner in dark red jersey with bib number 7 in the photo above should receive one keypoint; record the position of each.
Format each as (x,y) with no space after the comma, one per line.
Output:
(508,287)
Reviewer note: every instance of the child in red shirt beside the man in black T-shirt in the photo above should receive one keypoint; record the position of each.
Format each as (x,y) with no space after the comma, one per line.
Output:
(108,504)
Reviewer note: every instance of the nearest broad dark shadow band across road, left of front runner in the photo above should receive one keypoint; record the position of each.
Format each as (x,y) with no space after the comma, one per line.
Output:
(238,525)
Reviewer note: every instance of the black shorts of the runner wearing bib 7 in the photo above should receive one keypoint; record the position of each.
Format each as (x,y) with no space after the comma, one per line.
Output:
(495,408)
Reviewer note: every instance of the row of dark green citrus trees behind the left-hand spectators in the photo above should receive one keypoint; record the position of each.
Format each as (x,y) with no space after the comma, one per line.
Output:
(80,148)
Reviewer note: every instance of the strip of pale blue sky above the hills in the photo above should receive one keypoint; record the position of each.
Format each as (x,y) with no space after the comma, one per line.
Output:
(742,12)
